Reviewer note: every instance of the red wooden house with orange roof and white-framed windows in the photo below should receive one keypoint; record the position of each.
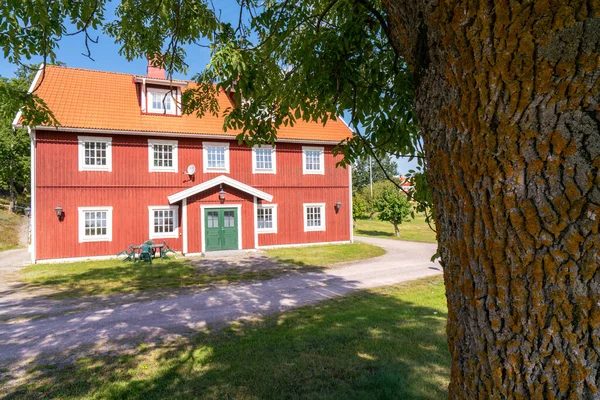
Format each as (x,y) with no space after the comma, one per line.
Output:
(125,166)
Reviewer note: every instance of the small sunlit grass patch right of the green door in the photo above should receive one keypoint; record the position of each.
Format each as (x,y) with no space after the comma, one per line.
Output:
(321,255)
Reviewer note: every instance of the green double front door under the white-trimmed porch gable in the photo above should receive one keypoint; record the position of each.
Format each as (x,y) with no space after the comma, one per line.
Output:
(221,229)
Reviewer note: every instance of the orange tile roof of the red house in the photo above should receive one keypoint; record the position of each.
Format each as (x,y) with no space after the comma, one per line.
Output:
(108,101)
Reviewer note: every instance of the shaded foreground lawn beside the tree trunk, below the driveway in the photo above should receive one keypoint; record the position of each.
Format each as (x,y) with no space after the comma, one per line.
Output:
(388,343)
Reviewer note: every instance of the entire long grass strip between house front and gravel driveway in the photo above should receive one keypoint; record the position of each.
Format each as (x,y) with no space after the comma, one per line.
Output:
(115,276)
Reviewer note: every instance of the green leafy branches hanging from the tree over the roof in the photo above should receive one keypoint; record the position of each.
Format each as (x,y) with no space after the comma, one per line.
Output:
(287,61)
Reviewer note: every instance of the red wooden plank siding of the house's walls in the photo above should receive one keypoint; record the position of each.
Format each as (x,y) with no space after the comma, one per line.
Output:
(130,189)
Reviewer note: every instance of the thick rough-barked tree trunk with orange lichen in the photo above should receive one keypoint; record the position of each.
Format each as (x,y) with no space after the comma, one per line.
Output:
(507,96)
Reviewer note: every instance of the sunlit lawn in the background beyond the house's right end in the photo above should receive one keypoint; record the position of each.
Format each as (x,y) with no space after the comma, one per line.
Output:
(415,230)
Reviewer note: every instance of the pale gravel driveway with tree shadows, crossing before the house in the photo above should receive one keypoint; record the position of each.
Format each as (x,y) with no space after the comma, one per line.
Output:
(154,319)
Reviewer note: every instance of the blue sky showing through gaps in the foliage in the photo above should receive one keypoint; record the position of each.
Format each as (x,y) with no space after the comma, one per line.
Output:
(106,56)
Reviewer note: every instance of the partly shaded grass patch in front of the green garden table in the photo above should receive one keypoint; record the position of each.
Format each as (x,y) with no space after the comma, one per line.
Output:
(115,276)
